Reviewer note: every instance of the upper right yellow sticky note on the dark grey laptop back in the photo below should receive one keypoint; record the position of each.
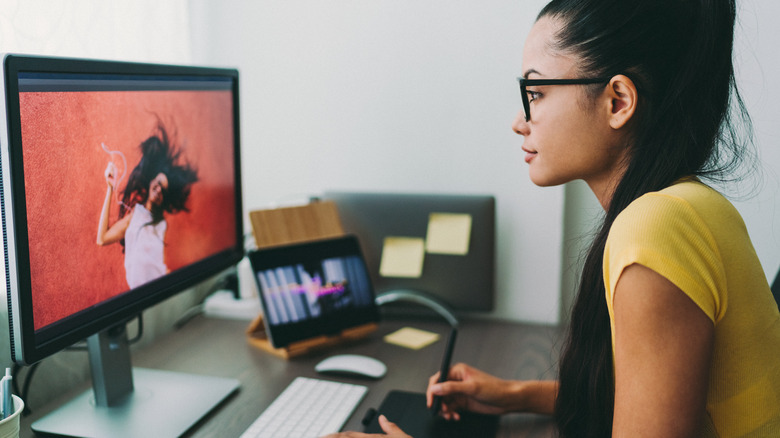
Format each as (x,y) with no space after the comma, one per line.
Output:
(448,233)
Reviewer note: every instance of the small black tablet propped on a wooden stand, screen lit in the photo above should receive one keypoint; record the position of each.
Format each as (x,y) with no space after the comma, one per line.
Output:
(313,289)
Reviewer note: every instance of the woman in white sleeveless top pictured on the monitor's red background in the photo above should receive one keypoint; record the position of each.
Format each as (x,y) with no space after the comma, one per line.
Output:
(158,184)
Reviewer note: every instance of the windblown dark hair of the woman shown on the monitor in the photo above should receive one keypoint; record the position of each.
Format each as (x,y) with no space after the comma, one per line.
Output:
(159,154)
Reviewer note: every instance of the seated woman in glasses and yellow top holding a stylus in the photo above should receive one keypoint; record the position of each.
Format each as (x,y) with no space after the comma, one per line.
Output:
(674,331)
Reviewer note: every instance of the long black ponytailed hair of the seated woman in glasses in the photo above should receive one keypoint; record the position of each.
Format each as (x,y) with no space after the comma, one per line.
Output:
(678,53)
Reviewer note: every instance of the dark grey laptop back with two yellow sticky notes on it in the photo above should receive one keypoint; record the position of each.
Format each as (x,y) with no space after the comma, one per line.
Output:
(439,244)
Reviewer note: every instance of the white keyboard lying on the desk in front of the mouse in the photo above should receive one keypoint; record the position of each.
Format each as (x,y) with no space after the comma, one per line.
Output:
(307,408)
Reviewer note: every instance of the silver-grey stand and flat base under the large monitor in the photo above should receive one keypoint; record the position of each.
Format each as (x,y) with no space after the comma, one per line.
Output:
(131,402)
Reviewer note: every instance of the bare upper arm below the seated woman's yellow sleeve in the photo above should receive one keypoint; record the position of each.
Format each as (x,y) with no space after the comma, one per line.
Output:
(663,351)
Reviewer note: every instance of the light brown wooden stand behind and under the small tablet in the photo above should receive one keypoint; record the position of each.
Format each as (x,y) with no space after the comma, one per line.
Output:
(283,226)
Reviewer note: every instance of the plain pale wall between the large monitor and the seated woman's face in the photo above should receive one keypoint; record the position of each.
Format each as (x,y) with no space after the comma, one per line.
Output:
(392,95)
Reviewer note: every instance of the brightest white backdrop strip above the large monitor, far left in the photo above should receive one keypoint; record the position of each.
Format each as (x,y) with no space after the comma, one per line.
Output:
(141,30)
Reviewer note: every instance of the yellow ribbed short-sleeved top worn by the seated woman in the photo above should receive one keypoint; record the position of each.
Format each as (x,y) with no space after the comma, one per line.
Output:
(691,235)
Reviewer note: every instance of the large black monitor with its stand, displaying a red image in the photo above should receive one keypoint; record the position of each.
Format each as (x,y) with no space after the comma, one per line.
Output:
(121,187)
